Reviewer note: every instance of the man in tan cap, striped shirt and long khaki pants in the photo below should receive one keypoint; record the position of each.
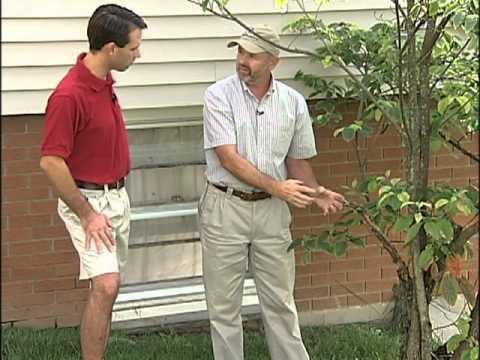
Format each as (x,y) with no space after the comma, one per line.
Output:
(257,135)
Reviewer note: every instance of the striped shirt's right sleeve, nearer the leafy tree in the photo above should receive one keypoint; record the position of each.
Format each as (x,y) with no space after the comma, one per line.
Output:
(303,142)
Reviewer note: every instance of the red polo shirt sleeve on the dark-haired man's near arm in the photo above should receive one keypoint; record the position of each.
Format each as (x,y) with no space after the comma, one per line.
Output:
(62,120)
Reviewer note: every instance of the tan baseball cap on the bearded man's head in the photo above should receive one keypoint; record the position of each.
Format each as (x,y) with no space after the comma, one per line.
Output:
(255,45)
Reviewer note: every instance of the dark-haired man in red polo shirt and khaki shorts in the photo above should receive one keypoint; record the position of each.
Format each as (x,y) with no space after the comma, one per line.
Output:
(86,156)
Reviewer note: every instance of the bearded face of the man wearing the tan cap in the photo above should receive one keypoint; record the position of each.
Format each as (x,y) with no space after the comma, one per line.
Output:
(253,68)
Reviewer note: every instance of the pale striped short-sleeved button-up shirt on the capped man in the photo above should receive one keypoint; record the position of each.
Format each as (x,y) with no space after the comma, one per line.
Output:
(265,131)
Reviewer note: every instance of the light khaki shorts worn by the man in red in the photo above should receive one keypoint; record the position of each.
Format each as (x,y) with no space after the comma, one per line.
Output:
(115,204)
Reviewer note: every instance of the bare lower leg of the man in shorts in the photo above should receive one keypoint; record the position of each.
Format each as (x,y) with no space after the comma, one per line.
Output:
(97,315)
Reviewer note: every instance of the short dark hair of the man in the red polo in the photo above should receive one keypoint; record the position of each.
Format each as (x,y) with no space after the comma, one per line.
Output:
(112,23)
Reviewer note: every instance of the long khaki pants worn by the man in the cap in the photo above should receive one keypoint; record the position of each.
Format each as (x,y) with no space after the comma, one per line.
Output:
(235,233)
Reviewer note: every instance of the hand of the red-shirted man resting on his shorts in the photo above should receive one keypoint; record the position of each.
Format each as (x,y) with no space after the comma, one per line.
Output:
(99,228)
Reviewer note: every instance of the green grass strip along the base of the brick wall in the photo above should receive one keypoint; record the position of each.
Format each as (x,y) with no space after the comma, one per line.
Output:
(349,342)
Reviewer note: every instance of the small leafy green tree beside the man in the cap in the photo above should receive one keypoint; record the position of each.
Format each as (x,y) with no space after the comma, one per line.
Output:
(419,75)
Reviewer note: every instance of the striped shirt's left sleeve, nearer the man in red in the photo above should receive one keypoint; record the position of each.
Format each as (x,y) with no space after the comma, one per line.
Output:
(218,122)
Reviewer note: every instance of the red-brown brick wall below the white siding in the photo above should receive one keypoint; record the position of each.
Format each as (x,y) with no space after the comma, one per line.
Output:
(40,286)
